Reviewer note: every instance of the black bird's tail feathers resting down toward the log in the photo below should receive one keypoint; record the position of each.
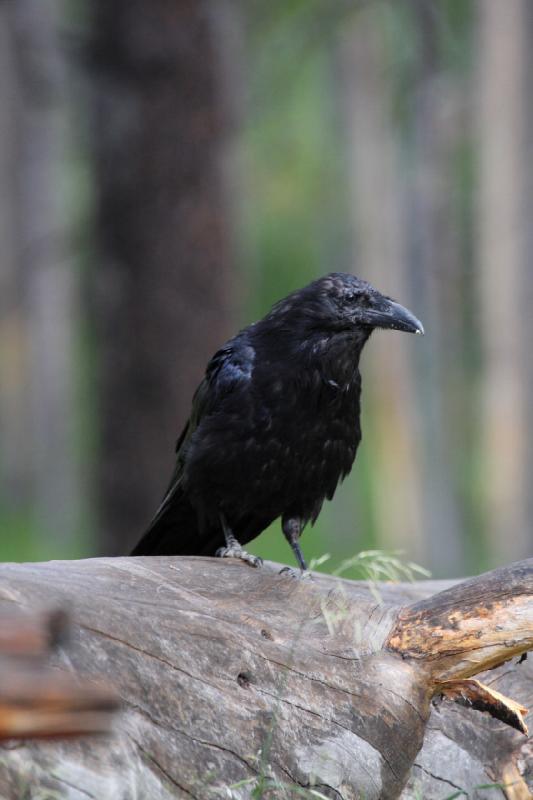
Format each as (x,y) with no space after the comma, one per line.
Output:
(175,530)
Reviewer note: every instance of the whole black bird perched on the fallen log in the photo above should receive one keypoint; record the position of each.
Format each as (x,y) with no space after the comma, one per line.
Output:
(274,425)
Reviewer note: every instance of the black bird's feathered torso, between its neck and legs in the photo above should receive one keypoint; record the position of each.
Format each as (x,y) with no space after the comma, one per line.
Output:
(291,434)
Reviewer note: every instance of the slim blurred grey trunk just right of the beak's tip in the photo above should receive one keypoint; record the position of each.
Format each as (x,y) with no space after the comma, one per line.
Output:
(436,258)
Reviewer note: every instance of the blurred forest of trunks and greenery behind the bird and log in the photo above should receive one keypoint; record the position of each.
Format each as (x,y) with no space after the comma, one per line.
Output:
(170,169)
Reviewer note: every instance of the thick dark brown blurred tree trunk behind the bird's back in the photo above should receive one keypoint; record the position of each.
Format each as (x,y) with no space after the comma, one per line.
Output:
(162,282)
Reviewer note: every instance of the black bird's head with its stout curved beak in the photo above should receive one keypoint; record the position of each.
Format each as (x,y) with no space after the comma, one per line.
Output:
(344,302)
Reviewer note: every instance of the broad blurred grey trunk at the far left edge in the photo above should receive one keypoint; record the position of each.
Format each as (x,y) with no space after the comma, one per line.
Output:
(36,281)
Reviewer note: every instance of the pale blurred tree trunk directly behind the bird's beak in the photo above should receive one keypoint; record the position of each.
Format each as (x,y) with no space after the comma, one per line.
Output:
(380,256)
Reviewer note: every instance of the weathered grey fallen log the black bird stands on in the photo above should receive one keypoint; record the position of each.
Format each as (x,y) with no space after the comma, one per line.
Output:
(237,681)
